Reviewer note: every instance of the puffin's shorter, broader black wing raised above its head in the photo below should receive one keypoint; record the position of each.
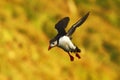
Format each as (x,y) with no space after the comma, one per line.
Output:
(61,25)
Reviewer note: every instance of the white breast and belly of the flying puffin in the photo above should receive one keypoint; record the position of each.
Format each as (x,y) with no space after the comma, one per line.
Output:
(66,43)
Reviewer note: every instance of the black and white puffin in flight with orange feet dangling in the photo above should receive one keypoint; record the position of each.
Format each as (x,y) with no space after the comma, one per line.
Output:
(63,38)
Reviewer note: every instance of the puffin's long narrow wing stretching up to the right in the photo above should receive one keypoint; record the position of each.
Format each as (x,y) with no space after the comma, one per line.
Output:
(77,24)
